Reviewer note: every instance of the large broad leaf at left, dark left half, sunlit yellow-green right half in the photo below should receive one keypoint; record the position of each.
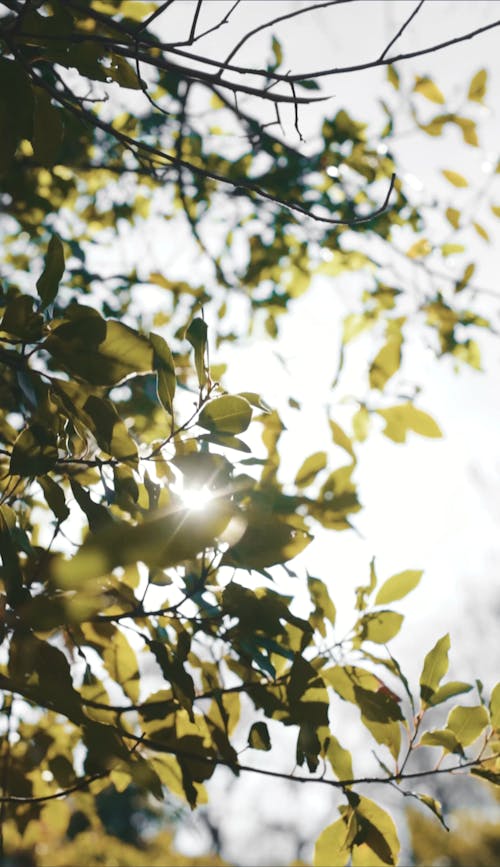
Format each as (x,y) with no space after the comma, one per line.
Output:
(98,351)
